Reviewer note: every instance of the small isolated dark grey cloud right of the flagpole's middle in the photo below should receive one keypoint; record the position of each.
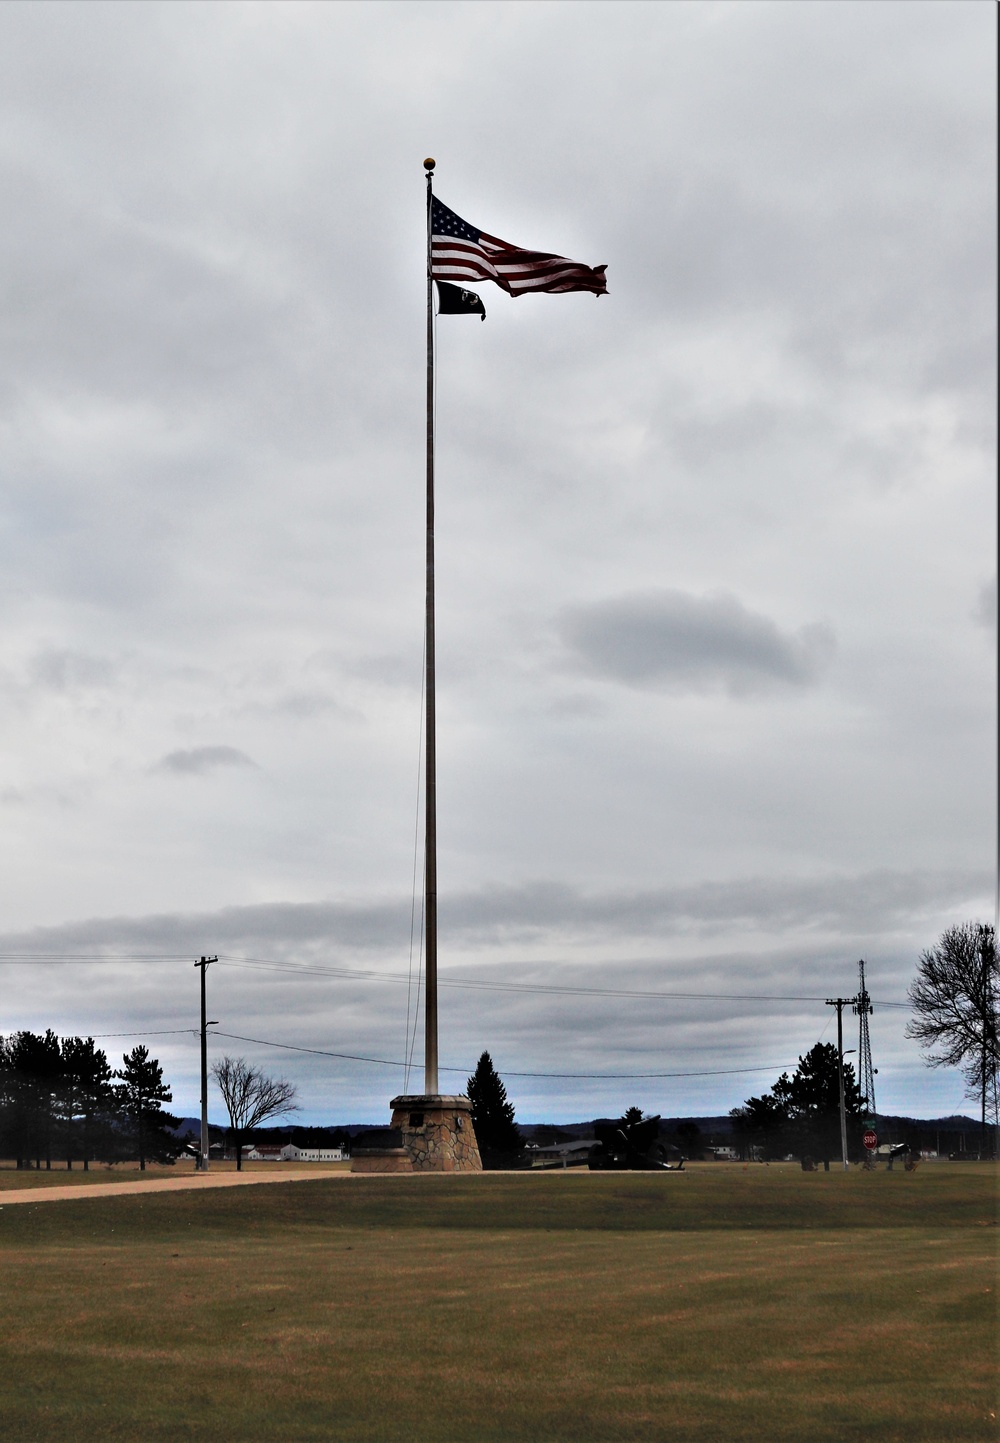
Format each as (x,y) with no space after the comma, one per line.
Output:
(675,640)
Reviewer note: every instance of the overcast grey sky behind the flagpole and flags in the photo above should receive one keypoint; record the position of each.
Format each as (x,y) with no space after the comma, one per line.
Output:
(716,552)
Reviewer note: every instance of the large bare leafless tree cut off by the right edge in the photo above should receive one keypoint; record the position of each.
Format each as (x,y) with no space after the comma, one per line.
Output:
(955,1001)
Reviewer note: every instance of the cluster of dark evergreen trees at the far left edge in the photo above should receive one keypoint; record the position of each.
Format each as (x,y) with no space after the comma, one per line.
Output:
(61,1102)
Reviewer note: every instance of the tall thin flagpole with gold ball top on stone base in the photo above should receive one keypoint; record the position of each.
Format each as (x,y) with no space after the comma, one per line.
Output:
(431,750)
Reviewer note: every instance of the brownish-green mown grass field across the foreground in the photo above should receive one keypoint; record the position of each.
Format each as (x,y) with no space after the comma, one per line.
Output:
(716,1305)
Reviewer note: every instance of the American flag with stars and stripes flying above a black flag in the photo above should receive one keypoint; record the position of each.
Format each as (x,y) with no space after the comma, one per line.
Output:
(464,255)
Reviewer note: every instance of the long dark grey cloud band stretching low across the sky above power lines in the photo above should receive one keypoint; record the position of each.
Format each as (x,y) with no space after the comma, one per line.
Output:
(877,903)
